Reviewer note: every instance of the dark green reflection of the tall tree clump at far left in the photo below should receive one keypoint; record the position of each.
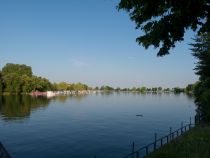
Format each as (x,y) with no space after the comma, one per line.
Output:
(18,107)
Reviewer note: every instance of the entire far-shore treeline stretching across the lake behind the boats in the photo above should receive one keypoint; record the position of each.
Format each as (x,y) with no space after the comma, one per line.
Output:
(19,79)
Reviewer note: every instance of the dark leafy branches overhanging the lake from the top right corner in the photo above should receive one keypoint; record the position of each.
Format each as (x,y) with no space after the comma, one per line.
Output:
(164,22)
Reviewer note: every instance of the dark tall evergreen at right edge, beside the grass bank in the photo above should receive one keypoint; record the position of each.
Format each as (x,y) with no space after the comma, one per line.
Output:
(201,51)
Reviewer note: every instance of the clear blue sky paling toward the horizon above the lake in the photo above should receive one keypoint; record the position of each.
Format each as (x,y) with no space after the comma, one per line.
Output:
(87,41)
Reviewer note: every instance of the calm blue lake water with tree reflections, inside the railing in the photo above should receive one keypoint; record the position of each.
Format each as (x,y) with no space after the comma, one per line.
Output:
(98,124)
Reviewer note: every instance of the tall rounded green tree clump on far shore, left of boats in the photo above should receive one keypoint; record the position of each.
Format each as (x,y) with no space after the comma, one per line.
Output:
(18,79)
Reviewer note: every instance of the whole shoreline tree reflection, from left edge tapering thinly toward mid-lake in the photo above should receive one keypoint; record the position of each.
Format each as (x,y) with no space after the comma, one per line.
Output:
(17,107)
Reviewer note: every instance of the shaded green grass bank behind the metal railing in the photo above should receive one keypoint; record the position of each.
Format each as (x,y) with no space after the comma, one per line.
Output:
(193,144)
